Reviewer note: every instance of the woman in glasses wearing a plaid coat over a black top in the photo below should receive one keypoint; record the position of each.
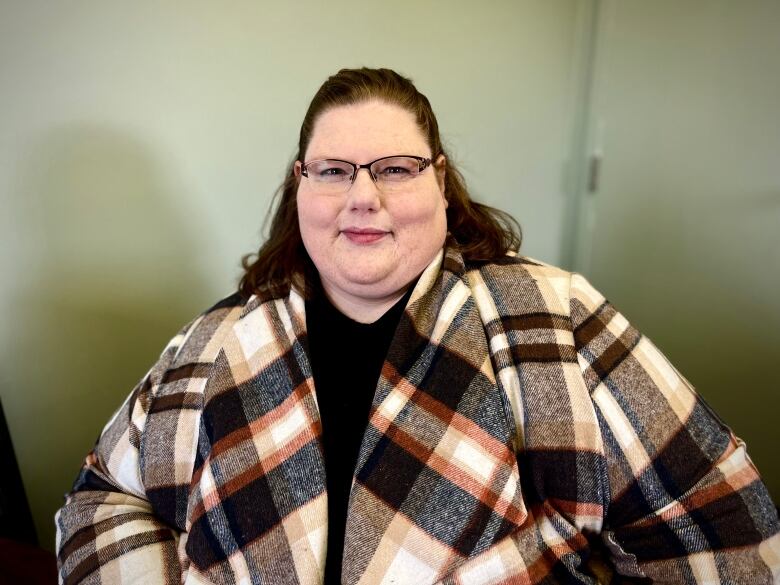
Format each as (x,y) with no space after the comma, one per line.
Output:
(479,417)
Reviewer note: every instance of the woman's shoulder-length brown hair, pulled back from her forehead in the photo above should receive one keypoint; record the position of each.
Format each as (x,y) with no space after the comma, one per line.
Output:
(478,231)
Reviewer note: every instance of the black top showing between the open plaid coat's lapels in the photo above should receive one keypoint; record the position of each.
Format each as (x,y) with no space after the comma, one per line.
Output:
(346,360)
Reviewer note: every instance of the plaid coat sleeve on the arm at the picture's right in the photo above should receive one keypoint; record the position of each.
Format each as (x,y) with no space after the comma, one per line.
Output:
(686,504)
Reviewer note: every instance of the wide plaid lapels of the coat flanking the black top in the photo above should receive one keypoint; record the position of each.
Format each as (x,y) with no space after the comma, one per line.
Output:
(437,479)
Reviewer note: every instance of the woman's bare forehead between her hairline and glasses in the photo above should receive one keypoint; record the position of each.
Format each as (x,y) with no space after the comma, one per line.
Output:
(365,131)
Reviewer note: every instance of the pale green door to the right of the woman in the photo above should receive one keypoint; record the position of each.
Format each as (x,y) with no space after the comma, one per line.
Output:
(682,230)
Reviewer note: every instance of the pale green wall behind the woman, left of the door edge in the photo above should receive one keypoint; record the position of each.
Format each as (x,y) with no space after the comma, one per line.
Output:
(140,146)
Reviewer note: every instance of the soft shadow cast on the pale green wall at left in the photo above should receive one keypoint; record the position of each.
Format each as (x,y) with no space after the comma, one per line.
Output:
(110,273)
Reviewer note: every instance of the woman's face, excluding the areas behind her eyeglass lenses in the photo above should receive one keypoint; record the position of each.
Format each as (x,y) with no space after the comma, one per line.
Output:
(368,246)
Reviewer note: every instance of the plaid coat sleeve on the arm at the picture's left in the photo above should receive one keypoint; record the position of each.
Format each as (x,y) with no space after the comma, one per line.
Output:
(107,531)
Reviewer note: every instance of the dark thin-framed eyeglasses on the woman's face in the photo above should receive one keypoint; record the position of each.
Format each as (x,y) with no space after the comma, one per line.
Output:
(390,173)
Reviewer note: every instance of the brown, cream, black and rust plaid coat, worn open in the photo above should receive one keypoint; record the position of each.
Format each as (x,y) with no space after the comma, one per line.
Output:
(522,432)
